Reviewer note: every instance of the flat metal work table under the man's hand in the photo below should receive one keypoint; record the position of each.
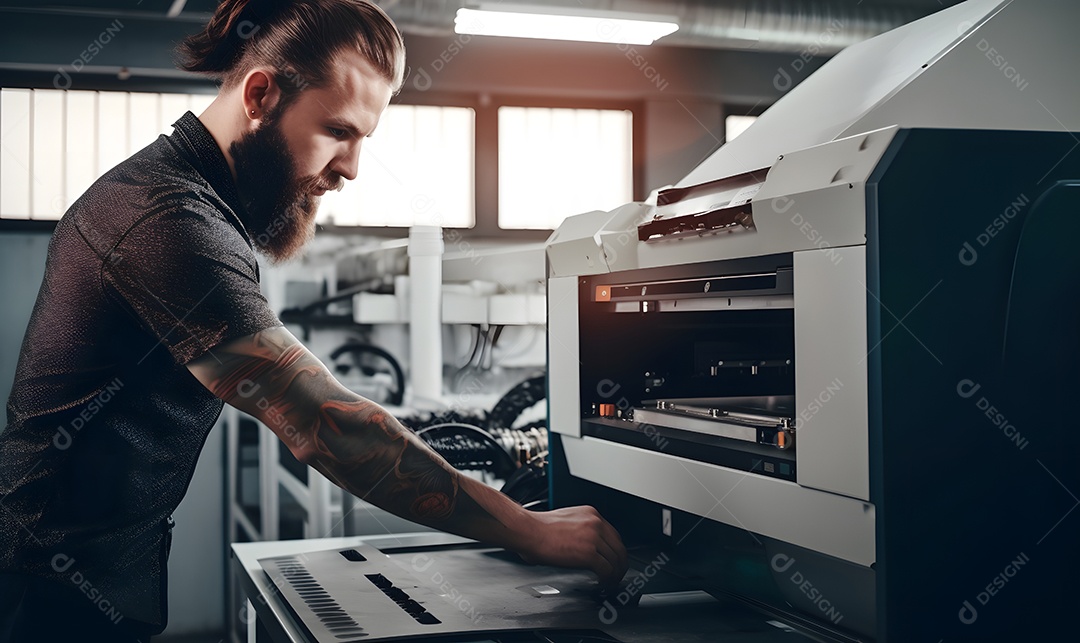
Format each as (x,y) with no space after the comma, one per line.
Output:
(507,588)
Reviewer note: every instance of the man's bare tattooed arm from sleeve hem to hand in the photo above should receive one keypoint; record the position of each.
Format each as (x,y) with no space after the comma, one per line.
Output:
(360,447)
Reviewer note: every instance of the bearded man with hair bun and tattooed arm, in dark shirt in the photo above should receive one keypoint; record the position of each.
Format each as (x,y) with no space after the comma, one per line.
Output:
(151,315)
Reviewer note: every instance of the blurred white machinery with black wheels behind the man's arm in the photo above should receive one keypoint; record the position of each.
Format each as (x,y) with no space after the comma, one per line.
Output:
(484,412)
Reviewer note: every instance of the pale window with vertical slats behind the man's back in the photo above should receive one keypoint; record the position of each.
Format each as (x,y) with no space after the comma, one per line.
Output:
(55,144)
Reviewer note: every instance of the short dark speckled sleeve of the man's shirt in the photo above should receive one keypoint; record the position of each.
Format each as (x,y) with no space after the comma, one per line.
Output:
(192,279)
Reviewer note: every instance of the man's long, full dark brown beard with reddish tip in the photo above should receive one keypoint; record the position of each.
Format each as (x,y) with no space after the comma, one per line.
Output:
(280,206)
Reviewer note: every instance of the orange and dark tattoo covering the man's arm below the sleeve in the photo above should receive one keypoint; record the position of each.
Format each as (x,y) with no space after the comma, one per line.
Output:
(352,440)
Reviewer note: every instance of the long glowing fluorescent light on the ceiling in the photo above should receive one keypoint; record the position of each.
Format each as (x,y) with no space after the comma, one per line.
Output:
(521,21)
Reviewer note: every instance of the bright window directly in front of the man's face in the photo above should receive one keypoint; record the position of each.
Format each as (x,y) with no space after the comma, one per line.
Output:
(417,169)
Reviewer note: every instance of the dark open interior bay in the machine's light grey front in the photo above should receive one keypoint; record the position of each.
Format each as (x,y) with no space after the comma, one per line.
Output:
(720,358)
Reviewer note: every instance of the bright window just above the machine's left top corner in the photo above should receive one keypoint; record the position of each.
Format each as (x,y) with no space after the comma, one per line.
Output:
(555,164)
